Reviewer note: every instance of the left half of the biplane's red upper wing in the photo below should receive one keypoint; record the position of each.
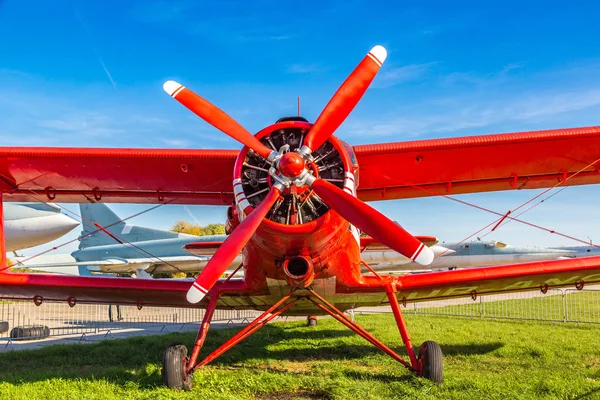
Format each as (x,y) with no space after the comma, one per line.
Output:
(33,174)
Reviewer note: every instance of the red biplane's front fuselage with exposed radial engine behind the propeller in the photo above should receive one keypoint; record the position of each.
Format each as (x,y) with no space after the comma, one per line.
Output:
(314,246)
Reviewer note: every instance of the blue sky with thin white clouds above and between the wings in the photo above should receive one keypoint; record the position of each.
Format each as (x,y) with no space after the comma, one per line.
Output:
(85,73)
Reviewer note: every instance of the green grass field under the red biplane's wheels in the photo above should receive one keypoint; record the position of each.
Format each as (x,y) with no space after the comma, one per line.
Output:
(484,359)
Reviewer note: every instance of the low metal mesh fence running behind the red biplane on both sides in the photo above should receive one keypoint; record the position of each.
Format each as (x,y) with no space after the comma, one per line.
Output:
(21,320)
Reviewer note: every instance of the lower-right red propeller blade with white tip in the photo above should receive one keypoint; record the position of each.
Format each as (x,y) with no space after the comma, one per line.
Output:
(371,221)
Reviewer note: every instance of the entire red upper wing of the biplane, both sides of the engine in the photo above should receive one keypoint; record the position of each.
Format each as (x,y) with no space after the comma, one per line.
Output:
(387,171)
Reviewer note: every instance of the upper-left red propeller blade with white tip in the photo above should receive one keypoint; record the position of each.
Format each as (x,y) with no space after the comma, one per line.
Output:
(215,116)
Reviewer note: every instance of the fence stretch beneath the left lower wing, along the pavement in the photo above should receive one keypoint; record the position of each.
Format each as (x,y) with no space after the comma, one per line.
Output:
(25,320)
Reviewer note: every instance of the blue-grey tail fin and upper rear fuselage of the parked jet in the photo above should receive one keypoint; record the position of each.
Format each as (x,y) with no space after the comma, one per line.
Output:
(115,229)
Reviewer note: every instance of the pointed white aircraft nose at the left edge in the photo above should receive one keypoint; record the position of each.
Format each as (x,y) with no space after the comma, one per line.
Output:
(32,224)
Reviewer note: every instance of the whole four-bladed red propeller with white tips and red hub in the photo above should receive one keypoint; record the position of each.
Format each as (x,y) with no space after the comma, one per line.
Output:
(291,169)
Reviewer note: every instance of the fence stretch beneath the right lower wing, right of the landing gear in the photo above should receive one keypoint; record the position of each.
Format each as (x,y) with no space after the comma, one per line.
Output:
(570,305)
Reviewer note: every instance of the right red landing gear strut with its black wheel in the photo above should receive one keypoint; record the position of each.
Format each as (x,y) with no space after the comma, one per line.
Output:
(429,362)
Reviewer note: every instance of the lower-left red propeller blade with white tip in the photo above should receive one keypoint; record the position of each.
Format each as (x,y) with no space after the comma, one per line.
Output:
(230,249)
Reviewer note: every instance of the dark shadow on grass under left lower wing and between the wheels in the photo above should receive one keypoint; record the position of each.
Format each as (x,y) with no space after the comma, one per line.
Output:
(139,359)
